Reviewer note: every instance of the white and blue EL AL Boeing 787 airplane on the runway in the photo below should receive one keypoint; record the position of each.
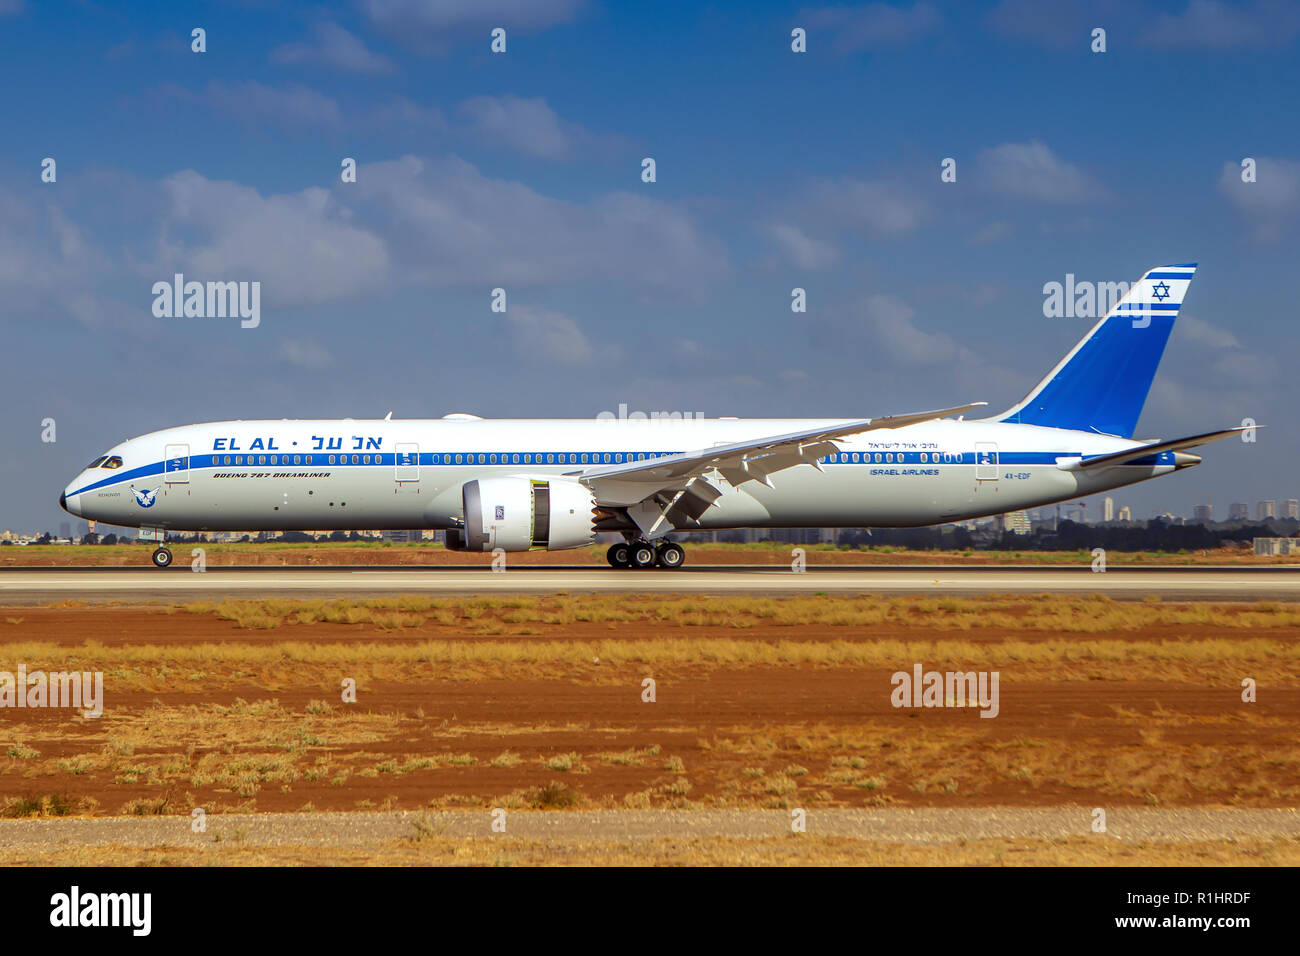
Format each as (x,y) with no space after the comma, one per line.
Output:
(553,485)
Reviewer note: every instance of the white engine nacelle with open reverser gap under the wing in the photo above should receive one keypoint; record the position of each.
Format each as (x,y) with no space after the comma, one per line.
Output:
(517,514)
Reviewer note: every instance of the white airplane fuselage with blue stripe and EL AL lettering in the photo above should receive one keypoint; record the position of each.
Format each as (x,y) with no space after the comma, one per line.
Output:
(322,475)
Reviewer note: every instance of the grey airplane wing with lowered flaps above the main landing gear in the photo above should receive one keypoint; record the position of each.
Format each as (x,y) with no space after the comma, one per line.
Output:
(673,491)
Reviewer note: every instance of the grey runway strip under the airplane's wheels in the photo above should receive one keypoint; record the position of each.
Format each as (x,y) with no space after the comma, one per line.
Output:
(27,586)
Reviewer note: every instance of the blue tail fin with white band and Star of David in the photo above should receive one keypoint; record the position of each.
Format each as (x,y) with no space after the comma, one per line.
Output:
(1102,386)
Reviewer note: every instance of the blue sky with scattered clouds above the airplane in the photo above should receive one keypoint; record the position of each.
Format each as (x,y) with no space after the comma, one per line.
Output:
(523,171)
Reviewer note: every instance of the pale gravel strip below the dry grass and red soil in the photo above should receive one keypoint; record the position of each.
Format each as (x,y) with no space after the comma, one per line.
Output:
(916,827)
